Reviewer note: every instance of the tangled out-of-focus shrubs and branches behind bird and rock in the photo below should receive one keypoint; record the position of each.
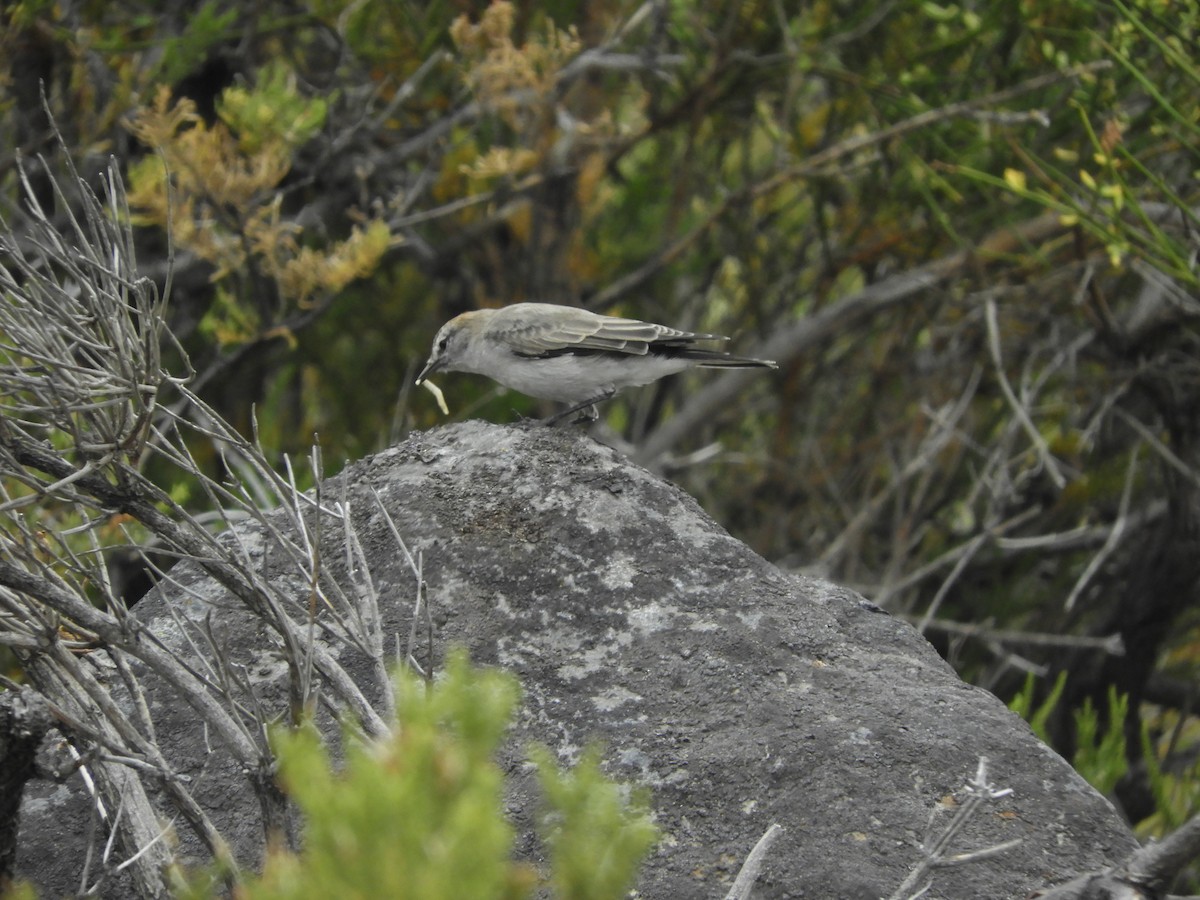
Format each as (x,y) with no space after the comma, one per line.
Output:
(968,232)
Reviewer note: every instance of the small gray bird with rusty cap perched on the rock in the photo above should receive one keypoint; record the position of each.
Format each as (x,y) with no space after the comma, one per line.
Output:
(569,355)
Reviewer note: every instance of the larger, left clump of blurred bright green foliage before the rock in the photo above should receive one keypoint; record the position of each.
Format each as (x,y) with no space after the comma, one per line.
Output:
(419,815)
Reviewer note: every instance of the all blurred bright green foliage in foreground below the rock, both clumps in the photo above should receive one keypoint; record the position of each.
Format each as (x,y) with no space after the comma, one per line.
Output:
(422,814)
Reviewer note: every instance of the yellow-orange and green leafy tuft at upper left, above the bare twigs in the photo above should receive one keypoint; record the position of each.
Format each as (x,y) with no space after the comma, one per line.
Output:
(226,205)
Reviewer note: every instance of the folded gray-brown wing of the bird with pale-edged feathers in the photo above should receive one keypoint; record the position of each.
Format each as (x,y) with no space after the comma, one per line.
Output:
(538,329)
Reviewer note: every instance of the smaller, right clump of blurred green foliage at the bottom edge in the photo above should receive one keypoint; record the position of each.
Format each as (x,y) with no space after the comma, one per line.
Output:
(597,841)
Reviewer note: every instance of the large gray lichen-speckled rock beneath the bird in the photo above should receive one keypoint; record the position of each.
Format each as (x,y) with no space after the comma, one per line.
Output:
(740,695)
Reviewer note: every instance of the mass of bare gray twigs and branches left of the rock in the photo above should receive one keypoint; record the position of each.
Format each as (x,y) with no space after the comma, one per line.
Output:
(81,382)
